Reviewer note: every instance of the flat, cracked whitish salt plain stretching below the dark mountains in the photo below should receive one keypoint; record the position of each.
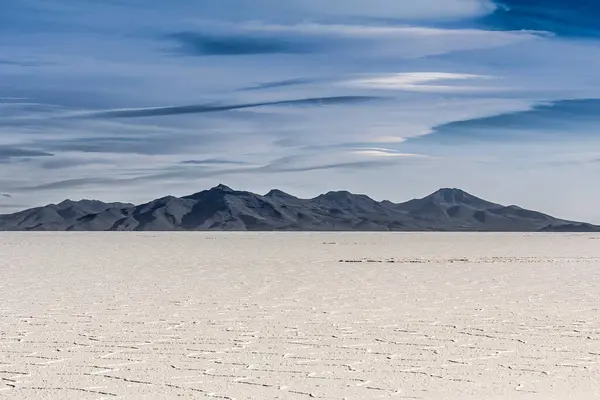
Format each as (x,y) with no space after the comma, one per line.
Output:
(278,316)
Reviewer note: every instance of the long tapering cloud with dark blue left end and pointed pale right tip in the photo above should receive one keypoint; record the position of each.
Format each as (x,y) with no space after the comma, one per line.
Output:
(407,41)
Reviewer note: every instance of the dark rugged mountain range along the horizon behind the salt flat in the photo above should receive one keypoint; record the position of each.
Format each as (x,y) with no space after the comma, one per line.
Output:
(224,209)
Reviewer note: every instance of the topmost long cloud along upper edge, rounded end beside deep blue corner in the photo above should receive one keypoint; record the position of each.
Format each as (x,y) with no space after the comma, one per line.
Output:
(51,14)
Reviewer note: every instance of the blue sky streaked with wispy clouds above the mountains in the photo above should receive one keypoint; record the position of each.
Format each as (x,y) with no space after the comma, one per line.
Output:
(132,100)
